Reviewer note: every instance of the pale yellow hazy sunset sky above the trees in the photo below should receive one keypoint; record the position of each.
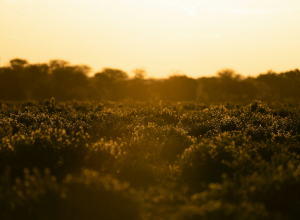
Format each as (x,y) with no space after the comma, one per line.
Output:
(195,37)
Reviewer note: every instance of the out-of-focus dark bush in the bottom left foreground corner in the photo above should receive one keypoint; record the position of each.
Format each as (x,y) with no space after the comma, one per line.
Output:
(89,196)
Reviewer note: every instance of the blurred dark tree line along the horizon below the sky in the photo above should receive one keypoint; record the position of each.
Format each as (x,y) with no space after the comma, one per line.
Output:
(21,80)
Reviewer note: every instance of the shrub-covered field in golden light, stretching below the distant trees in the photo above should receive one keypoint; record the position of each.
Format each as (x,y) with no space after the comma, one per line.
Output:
(149,161)
